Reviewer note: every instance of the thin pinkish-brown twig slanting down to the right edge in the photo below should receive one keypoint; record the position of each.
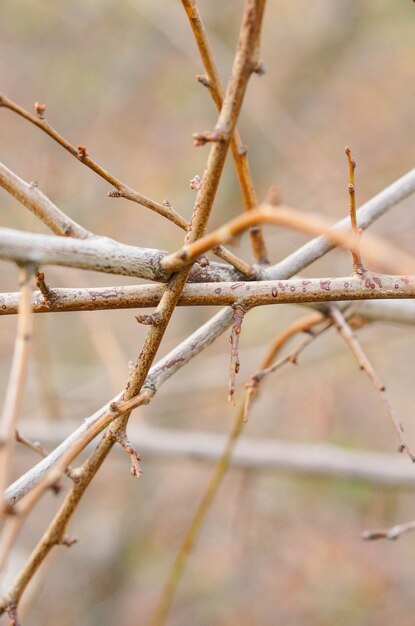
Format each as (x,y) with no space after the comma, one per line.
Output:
(351,340)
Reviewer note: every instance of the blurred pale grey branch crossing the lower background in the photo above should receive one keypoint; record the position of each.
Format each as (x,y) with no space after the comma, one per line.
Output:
(322,460)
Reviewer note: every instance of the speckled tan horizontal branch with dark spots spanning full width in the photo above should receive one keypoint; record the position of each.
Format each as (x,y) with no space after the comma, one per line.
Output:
(251,294)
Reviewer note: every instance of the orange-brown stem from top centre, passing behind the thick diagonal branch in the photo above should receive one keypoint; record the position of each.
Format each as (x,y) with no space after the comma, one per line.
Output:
(239,152)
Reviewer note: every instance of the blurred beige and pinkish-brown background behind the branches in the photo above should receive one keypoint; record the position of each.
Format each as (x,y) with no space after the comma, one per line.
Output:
(119,78)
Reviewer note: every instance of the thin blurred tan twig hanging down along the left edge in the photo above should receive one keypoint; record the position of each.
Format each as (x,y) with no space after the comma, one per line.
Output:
(15,388)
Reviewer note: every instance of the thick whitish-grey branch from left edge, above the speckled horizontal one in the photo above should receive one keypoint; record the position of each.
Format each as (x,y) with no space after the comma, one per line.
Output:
(100,254)
